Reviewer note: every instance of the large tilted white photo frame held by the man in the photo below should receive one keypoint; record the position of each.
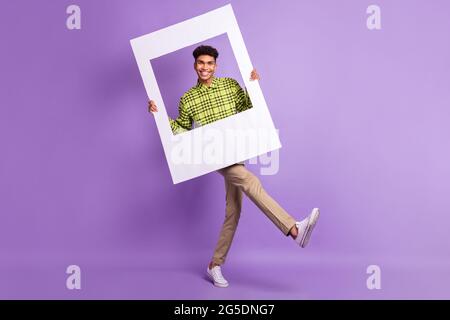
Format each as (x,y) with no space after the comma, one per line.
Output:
(224,142)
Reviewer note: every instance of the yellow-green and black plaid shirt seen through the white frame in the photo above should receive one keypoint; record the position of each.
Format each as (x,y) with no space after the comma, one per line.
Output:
(204,105)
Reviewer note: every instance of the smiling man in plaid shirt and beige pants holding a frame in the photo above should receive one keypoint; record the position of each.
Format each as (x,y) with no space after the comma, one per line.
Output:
(213,99)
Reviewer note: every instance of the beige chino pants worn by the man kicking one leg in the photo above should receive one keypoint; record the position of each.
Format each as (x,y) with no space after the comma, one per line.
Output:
(239,180)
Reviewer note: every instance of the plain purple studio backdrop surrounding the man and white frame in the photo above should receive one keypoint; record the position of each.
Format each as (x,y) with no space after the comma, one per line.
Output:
(363,119)
